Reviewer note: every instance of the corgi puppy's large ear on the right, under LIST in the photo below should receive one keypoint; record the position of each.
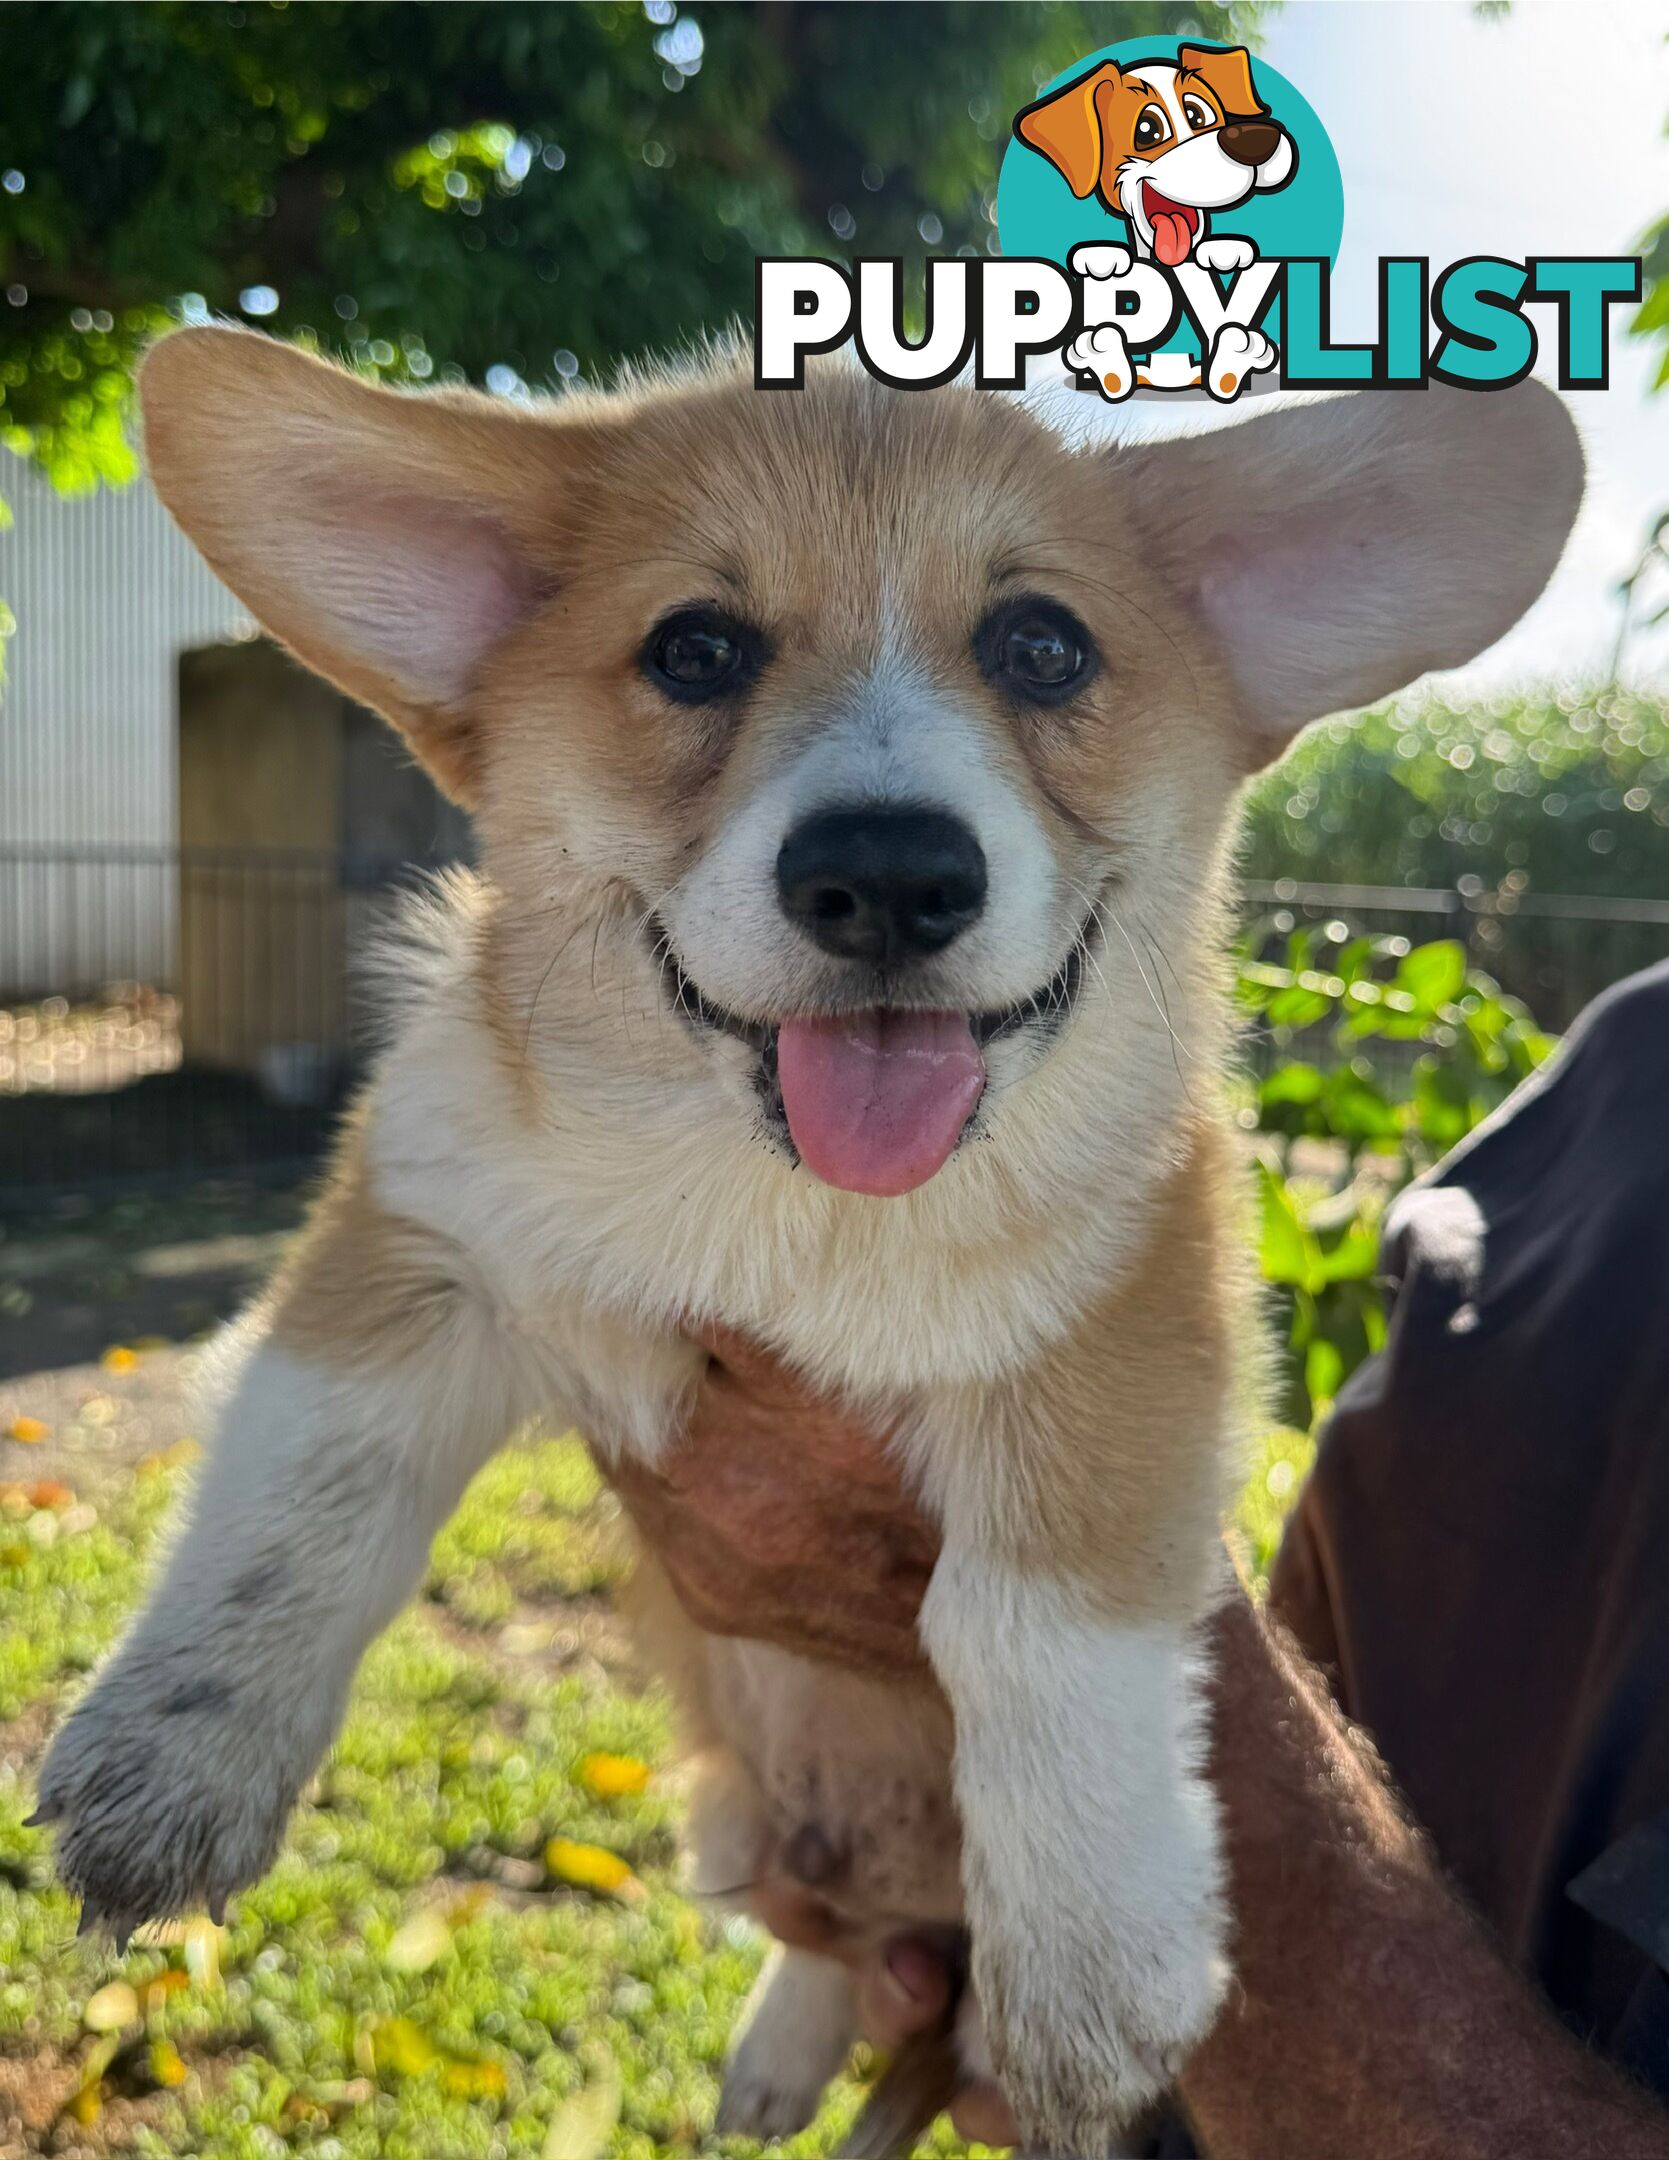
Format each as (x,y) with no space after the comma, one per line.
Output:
(1338,550)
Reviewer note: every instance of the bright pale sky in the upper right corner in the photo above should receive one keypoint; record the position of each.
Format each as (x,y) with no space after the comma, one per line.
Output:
(1534,133)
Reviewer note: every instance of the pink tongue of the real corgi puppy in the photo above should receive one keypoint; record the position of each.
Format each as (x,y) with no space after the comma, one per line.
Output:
(878,1101)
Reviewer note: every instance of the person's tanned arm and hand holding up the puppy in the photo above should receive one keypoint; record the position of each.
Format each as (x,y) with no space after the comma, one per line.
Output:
(1370,2012)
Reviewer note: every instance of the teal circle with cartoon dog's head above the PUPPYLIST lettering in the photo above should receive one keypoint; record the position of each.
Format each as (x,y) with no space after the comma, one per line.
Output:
(1163,144)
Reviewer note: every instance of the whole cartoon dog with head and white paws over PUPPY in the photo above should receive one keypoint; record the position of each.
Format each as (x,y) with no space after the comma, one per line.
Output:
(1165,146)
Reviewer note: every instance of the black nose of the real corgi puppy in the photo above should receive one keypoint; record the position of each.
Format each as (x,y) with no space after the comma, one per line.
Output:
(882,885)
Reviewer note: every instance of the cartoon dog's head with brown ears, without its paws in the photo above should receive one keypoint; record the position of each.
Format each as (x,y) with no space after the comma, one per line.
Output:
(1165,144)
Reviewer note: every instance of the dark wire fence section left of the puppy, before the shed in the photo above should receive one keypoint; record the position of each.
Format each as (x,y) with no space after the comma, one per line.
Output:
(180,1014)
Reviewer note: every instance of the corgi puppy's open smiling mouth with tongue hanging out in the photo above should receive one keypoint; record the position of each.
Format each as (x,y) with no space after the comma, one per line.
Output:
(876,1101)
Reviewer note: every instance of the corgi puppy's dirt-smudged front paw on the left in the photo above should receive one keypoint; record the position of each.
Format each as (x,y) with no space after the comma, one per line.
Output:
(169,1792)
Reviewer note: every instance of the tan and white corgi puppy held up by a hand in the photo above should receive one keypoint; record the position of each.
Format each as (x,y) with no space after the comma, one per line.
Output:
(854,774)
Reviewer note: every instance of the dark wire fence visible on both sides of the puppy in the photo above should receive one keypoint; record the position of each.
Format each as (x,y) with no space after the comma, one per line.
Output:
(187,1014)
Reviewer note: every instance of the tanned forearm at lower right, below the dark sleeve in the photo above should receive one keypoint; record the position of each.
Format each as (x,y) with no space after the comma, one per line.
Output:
(1372,2016)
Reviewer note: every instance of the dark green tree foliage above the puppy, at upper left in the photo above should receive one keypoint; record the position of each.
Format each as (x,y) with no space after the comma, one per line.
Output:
(498,189)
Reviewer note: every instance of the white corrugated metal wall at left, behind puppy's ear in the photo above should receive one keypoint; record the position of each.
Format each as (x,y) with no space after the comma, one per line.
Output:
(107,595)
